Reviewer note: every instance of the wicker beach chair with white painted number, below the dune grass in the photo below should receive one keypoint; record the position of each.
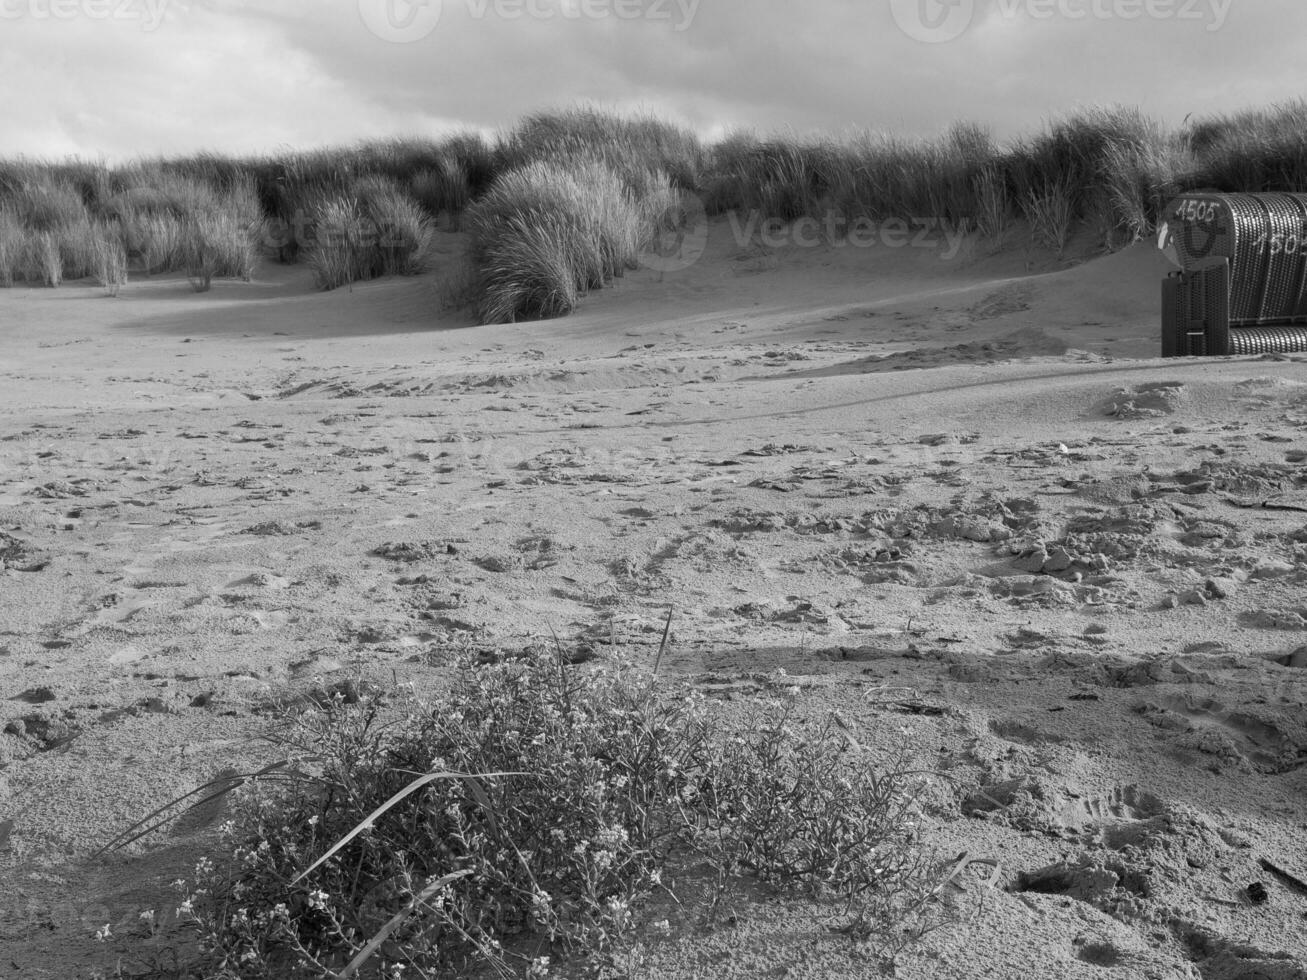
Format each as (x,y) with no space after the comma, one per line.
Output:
(1242,284)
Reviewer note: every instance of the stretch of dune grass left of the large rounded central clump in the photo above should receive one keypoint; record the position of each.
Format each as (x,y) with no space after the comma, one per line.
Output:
(211,218)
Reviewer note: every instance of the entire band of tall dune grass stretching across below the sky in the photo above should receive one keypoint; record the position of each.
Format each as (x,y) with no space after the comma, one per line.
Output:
(542,246)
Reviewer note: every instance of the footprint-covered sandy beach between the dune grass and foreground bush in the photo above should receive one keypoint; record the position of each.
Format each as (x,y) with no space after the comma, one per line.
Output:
(956,496)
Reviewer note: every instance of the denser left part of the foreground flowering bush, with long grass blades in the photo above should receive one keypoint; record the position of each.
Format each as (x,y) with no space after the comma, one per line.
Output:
(547,813)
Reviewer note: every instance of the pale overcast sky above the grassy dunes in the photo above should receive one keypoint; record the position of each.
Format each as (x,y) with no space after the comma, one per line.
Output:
(130,78)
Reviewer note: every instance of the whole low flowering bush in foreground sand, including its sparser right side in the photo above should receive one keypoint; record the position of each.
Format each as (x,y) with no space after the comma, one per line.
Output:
(529,811)
